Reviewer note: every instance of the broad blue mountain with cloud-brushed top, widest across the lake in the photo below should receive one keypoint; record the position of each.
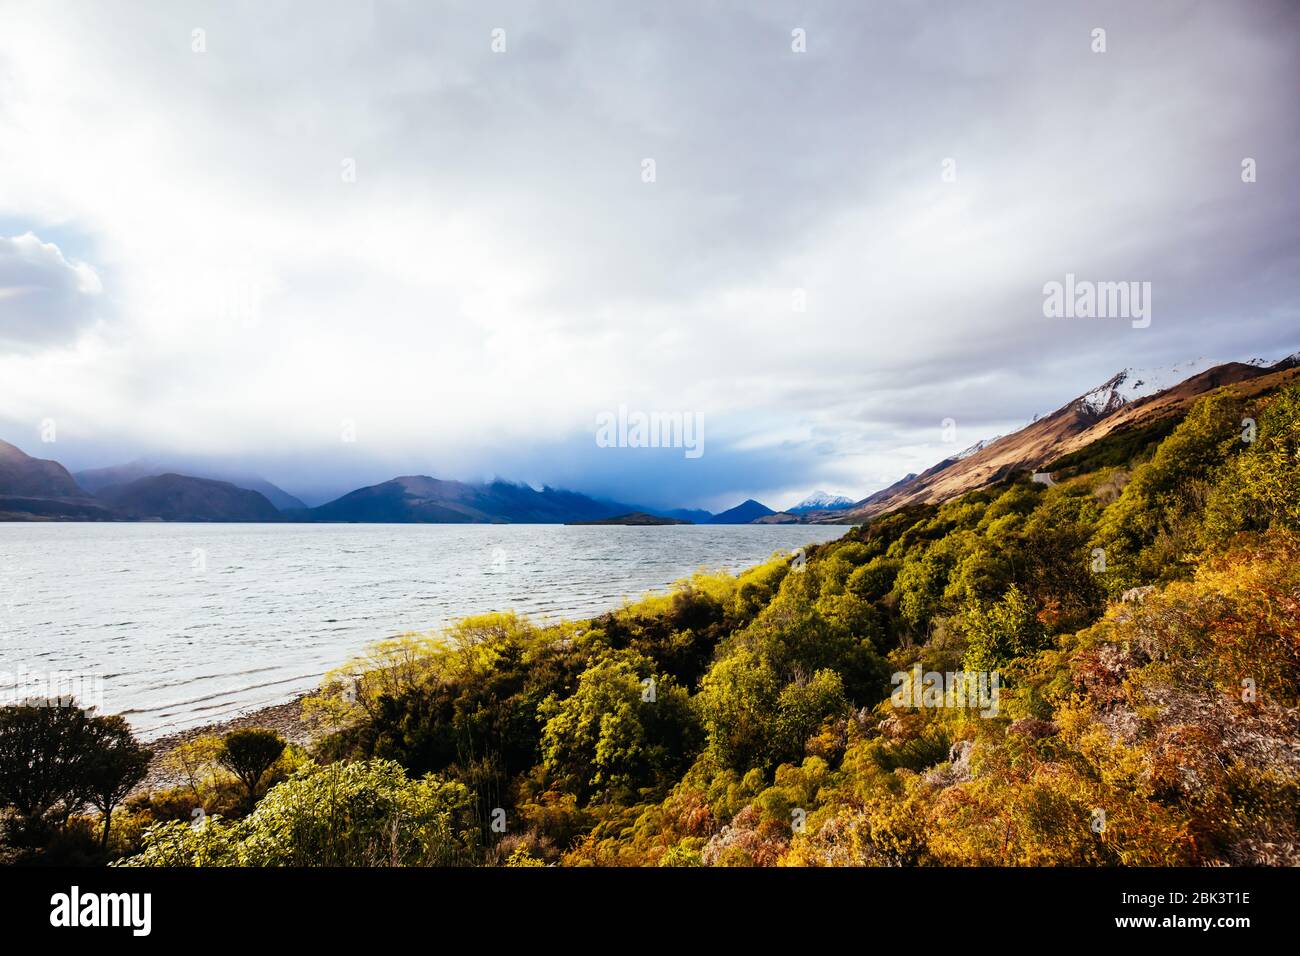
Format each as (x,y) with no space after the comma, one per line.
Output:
(419,499)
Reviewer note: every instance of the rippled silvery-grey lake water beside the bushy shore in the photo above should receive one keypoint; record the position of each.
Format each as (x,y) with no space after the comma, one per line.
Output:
(183,625)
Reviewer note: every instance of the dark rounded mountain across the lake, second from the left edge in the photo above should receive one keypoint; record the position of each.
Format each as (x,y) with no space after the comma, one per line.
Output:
(185,499)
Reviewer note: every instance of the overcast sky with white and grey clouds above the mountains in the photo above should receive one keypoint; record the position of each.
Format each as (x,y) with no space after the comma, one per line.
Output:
(187,266)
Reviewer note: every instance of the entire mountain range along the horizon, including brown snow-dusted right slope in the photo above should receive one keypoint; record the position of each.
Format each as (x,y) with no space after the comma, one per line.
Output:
(1124,412)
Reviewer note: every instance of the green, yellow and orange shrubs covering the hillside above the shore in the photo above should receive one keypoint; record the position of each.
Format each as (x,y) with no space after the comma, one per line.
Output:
(1139,624)
